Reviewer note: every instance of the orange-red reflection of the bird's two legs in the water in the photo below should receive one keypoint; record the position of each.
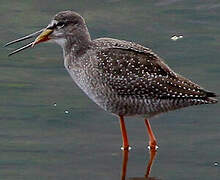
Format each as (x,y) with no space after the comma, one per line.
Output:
(152,153)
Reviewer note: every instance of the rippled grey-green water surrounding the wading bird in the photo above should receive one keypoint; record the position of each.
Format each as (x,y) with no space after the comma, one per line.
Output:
(38,140)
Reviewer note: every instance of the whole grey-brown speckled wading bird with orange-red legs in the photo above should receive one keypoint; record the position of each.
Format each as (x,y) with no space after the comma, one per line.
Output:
(123,78)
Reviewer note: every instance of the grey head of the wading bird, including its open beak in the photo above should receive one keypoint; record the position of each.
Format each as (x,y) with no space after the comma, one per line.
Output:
(65,27)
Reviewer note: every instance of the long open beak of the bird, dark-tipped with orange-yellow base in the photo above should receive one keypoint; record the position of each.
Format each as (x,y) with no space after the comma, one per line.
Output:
(42,35)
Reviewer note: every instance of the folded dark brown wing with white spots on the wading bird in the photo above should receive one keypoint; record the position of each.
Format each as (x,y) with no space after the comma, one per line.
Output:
(136,70)
